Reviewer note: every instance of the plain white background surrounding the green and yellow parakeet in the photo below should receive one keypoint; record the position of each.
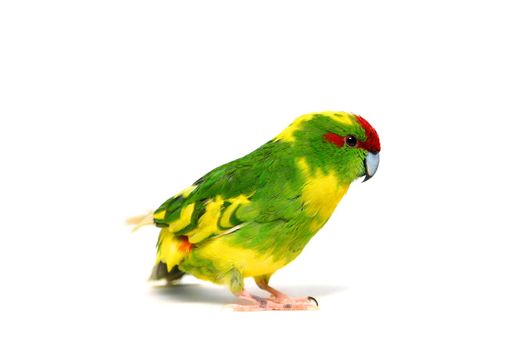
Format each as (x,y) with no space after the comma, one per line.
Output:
(109,107)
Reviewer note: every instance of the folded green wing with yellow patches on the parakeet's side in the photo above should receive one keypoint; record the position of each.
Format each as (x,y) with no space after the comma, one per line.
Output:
(256,188)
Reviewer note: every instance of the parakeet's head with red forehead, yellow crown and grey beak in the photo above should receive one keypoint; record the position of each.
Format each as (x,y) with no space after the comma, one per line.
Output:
(341,142)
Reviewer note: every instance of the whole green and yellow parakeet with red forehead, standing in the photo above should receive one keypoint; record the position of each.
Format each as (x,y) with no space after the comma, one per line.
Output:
(254,215)
